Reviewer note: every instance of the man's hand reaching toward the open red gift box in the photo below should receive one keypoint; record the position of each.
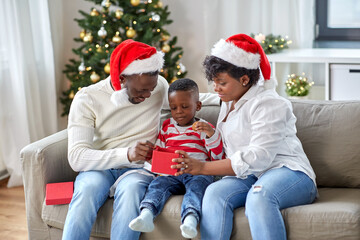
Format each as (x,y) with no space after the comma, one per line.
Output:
(142,151)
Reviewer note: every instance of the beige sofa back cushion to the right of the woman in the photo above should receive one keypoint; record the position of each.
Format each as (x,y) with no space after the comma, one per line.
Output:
(330,134)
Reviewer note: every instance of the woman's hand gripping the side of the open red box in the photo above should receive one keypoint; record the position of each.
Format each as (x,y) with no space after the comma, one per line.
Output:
(187,164)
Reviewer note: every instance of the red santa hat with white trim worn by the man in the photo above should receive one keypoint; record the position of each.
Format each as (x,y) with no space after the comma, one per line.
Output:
(132,57)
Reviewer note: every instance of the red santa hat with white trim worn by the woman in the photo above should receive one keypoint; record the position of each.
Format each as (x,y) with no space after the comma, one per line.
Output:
(244,51)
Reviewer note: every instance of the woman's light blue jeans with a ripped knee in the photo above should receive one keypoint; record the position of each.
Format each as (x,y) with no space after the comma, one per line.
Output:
(263,199)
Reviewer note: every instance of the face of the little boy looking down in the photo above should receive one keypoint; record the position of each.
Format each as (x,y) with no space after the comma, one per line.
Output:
(183,106)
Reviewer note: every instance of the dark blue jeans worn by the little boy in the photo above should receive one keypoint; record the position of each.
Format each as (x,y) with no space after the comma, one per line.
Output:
(193,188)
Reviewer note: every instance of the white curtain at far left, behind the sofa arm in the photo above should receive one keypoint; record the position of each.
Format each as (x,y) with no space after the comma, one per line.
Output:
(28,108)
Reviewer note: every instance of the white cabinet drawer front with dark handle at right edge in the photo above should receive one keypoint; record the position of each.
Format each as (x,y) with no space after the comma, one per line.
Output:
(344,82)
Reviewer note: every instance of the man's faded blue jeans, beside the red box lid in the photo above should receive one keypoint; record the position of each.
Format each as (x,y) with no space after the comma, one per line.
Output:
(91,190)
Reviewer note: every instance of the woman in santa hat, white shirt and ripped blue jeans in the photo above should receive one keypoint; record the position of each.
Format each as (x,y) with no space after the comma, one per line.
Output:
(266,167)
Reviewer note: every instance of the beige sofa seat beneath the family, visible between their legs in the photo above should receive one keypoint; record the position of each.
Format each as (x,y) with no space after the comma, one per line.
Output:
(334,215)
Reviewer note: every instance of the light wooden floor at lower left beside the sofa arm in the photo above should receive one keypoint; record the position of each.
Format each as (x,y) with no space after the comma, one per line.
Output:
(13,224)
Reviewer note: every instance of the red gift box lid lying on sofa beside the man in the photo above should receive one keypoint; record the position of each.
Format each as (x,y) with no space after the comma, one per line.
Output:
(59,193)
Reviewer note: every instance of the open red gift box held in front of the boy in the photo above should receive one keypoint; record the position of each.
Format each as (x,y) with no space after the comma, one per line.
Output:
(162,161)
